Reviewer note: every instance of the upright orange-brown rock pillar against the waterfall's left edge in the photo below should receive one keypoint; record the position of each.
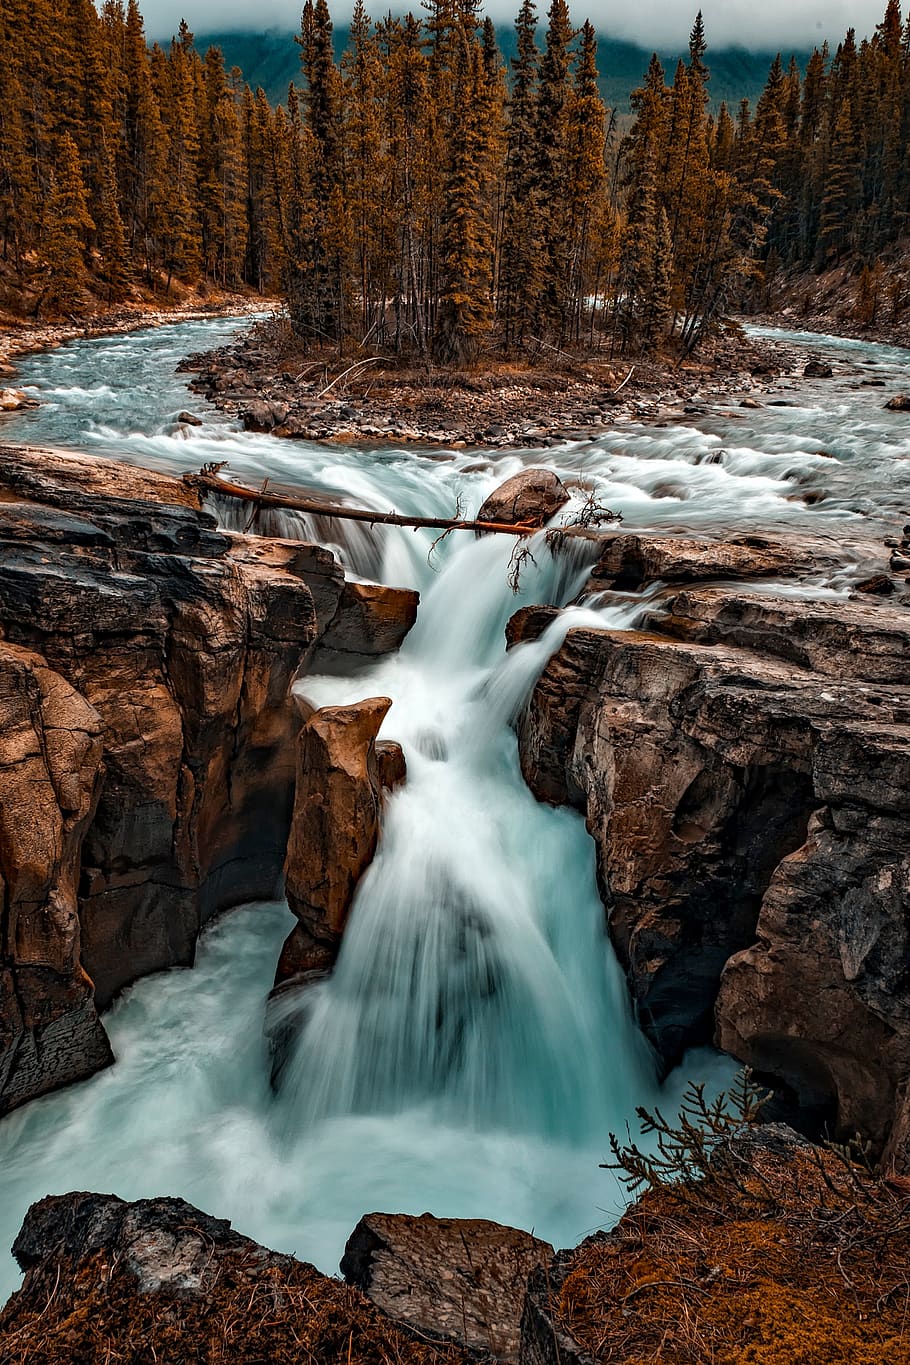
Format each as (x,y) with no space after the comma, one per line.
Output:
(335,828)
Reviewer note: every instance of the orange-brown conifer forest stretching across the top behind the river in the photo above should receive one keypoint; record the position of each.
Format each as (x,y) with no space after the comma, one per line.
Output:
(422,199)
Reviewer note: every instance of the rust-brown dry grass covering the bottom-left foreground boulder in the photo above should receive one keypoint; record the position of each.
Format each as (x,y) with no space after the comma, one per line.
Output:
(252,1314)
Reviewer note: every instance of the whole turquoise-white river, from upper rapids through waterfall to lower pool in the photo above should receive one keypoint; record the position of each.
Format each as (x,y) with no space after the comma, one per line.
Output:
(481,908)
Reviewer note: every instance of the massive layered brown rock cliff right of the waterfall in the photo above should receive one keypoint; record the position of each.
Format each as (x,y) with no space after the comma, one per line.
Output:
(744,765)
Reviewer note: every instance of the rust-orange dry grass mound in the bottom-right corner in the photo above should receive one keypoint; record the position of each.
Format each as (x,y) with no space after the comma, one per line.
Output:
(802,1261)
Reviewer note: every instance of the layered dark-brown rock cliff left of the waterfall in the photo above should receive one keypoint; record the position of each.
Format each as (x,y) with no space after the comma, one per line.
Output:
(168,649)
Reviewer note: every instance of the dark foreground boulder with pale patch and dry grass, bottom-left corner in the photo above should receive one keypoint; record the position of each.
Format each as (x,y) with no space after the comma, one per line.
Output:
(160,1281)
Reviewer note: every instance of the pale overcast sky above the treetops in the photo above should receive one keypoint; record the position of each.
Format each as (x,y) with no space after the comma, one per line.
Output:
(664,24)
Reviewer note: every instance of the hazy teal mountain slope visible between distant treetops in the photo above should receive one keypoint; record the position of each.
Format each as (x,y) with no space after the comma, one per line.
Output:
(272,61)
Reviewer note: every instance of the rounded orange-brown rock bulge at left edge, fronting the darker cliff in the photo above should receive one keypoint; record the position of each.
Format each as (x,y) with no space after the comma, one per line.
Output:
(50,781)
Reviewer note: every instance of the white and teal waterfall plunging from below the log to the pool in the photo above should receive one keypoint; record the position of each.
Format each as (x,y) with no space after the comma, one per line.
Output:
(475,974)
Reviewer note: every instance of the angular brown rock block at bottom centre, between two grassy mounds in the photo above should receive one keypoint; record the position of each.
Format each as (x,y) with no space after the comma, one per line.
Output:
(459,1280)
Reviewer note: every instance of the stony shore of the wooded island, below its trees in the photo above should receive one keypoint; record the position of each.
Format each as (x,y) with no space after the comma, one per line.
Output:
(267,383)
